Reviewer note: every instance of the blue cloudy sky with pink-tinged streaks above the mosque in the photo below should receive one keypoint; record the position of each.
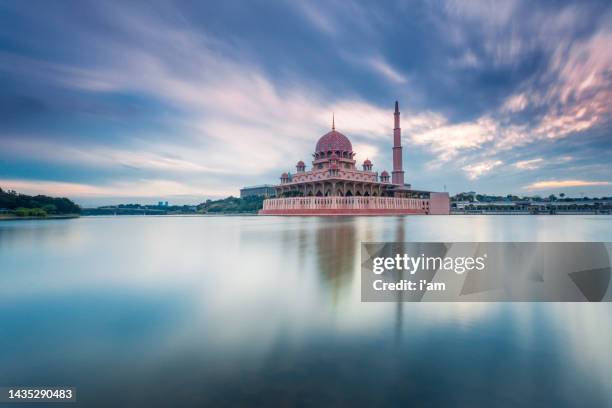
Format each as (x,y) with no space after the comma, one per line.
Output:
(114,102)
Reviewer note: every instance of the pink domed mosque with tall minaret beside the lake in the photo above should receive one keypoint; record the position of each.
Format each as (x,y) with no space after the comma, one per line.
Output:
(335,186)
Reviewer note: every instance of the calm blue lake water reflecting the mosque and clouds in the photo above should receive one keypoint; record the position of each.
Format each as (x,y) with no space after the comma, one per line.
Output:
(187,311)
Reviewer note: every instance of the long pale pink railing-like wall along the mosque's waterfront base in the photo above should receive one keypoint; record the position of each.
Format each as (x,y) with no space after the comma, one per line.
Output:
(339,202)
